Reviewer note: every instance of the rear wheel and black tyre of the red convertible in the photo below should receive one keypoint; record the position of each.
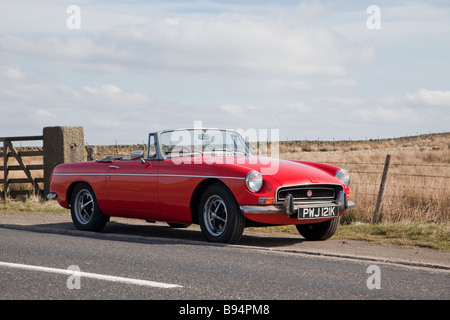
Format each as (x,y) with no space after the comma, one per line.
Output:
(86,214)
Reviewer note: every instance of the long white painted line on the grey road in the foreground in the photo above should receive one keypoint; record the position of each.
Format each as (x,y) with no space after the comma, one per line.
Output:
(90,275)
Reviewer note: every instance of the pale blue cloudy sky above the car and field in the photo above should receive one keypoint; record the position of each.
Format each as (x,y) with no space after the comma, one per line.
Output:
(327,70)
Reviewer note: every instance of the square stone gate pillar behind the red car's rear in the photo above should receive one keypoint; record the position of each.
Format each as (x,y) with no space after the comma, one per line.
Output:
(61,145)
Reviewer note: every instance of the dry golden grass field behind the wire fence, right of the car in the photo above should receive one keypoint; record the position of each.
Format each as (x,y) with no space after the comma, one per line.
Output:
(418,185)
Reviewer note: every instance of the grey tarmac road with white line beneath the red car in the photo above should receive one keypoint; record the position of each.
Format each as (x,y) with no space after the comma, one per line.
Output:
(183,266)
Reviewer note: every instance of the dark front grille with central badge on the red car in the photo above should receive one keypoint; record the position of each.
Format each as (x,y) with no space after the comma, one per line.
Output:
(310,192)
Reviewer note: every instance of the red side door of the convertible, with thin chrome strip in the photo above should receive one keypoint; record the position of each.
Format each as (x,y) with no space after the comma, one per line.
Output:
(132,187)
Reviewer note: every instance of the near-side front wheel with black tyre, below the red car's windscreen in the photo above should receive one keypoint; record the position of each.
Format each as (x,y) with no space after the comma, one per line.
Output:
(219,215)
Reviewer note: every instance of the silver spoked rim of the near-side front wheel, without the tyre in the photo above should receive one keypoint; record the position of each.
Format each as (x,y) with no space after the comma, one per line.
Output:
(215,215)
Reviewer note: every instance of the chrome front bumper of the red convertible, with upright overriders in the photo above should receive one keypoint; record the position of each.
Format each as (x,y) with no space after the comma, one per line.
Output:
(289,207)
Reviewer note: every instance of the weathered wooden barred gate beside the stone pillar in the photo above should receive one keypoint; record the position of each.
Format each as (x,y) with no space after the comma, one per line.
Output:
(9,151)
